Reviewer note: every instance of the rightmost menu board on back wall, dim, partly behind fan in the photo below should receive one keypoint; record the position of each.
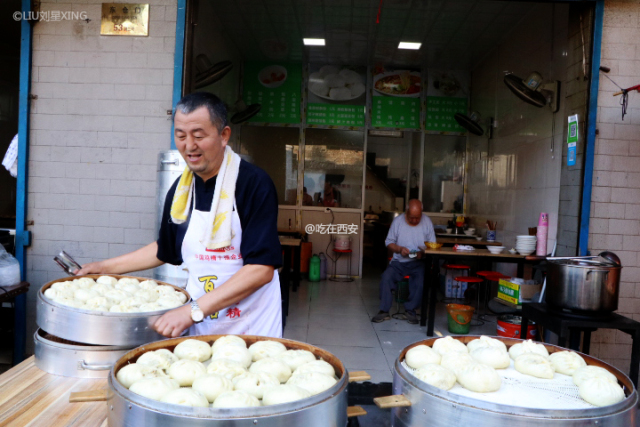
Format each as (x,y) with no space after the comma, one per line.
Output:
(447,94)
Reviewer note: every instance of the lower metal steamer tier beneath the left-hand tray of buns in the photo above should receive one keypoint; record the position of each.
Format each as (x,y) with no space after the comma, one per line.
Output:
(72,360)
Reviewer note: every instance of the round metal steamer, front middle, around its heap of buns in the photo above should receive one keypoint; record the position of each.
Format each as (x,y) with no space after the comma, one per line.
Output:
(327,409)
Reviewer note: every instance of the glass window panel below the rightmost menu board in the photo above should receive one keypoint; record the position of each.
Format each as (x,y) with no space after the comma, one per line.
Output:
(443,174)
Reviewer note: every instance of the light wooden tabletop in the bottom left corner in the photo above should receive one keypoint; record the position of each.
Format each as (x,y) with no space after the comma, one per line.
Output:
(31,397)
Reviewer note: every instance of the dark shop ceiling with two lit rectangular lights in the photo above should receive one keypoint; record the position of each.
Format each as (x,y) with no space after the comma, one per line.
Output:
(455,34)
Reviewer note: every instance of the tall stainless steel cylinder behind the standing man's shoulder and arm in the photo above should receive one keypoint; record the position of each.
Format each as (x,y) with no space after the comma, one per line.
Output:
(170,167)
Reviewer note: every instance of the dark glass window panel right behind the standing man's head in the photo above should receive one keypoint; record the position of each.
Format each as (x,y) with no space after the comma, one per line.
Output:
(274,149)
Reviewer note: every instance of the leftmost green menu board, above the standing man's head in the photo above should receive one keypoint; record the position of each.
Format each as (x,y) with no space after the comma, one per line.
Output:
(276,87)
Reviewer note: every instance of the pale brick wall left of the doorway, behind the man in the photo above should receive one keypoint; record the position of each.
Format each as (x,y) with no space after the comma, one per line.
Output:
(97,126)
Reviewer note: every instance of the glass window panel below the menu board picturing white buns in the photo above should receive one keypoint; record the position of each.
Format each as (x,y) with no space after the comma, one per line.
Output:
(333,164)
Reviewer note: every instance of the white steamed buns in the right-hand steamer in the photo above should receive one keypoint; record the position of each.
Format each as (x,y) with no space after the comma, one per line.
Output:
(474,367)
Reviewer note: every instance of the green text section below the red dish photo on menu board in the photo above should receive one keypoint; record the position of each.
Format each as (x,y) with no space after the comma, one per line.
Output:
(396,112)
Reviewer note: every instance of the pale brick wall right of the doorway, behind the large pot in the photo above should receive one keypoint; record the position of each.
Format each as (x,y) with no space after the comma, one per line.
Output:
(615,208)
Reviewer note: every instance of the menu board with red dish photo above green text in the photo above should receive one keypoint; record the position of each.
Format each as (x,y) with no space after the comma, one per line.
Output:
(396,99)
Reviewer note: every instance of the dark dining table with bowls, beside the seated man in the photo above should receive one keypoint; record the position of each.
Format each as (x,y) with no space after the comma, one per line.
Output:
(483,258)
